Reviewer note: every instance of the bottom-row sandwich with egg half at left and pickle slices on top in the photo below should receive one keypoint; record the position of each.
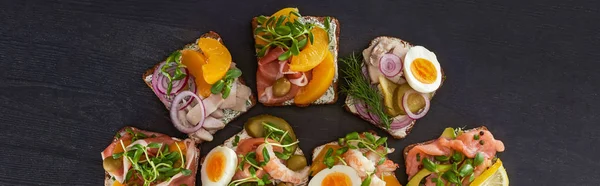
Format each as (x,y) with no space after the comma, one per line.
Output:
(265,153)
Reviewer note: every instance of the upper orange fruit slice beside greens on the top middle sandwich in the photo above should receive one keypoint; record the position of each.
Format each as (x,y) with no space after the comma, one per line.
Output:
(313,53)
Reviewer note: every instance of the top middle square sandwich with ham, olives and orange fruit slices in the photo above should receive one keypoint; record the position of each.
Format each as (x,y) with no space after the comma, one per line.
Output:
(297,58)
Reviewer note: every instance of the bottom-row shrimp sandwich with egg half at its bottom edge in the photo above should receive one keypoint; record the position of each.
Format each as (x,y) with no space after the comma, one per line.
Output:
(356,159)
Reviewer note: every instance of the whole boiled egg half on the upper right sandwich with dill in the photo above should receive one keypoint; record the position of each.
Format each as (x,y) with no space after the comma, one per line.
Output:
(422,70)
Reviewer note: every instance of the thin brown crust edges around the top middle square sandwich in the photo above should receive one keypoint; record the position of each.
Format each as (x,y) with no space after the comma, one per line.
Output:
(337,48)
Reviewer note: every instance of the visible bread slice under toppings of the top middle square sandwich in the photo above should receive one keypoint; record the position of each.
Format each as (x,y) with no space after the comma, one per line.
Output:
(331,96)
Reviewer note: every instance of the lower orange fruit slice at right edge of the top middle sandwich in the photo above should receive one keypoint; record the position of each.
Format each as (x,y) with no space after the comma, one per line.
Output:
(322,77)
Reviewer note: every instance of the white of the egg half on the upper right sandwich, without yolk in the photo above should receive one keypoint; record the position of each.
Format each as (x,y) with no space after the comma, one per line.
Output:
(421,52)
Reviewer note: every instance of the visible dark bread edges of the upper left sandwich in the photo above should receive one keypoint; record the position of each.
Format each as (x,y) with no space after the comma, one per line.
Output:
(147,77)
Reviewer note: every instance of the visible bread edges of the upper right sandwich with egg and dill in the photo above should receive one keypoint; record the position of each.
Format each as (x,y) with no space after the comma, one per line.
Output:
(397,133)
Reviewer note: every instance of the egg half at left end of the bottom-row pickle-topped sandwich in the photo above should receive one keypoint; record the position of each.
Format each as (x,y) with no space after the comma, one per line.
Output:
(218,167)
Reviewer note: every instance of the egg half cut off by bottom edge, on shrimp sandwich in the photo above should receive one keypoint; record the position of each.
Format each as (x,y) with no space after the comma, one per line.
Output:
(339,175)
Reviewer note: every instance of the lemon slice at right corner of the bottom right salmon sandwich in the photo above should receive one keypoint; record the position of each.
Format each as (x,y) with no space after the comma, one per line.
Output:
(494,176)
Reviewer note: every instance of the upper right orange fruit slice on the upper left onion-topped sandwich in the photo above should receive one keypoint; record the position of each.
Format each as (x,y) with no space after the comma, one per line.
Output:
(218,59)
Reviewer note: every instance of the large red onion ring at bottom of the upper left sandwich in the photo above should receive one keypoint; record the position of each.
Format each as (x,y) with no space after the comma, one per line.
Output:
(175,117)
